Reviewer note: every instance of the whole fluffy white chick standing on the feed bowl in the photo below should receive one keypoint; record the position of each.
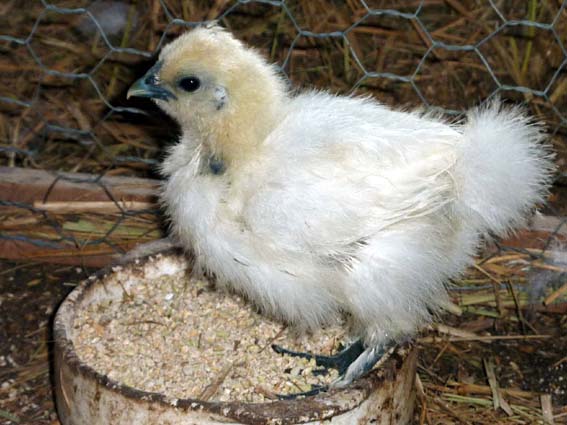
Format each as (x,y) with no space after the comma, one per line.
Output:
(319,207)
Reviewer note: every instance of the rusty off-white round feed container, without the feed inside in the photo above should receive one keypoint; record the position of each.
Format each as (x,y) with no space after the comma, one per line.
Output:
(85,396)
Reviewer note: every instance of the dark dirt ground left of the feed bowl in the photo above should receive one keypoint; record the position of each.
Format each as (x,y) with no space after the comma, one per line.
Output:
(29,296)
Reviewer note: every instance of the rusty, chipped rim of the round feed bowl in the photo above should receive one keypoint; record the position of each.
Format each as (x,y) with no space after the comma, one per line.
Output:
(319,407)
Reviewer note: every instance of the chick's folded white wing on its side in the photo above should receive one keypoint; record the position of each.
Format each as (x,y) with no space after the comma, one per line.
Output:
(329,178)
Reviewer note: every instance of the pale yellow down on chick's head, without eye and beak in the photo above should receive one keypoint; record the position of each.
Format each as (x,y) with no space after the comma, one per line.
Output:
(253,89)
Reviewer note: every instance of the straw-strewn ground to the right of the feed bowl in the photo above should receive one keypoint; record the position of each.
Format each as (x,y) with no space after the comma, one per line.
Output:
(503,359)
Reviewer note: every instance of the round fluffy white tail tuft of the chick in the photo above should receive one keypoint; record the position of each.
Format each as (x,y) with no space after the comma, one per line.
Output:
(503,167)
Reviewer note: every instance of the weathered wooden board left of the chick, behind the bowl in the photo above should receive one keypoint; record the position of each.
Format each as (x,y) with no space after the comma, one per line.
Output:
(61,196)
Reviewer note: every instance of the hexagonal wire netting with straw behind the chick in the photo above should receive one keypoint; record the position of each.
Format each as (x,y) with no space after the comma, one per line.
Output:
(66,65)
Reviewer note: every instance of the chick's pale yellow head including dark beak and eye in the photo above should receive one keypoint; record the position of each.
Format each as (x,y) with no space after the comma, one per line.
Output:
(214,86)
